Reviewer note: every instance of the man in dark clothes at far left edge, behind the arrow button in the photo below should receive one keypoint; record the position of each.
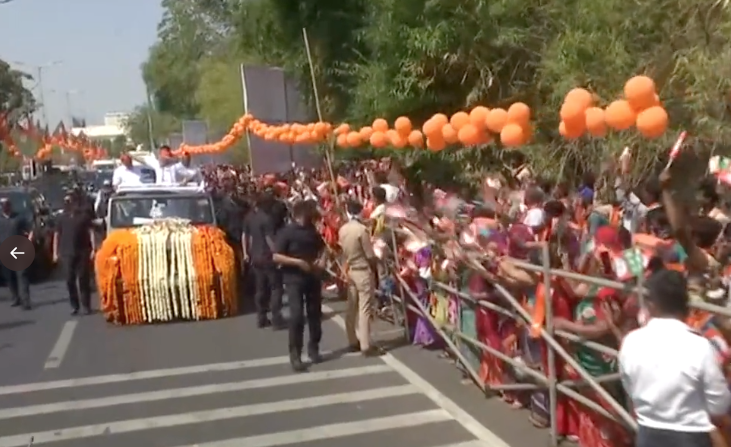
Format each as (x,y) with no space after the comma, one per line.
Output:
(14,224)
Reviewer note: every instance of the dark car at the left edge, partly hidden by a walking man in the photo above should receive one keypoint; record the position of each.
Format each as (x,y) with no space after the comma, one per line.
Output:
(29,202)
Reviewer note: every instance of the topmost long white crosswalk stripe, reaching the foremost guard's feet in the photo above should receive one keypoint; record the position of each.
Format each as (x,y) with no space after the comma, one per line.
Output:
(145,375)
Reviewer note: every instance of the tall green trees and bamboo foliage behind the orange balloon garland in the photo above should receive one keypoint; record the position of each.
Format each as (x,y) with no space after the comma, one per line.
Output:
(386,58)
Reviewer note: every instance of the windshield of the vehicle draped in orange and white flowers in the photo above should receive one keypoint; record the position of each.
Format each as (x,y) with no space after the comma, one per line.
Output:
(135,211)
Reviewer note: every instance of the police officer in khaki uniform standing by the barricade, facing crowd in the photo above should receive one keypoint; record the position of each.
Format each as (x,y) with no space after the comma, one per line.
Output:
(361,270)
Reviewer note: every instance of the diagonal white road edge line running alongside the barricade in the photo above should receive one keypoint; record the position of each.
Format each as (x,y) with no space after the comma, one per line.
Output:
(465,419)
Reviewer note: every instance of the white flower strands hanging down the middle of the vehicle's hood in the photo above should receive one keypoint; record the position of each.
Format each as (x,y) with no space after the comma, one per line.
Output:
(166,272)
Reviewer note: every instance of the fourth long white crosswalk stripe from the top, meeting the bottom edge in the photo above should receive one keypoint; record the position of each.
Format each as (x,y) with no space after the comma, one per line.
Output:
(332,431)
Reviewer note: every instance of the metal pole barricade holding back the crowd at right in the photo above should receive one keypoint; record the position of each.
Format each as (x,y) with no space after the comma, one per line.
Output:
(408,300)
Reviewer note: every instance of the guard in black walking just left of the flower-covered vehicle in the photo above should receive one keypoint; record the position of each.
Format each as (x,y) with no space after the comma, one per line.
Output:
(73,245)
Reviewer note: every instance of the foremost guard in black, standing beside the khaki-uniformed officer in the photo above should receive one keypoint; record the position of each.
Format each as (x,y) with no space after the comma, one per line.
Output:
(298,249)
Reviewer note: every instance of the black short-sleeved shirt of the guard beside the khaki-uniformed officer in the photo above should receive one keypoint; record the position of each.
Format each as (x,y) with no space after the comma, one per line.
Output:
(301,242)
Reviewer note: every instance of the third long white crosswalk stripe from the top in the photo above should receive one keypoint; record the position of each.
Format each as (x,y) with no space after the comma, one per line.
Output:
(198,417)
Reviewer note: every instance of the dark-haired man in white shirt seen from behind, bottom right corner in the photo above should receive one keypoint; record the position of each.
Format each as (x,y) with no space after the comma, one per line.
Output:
(672,373)
